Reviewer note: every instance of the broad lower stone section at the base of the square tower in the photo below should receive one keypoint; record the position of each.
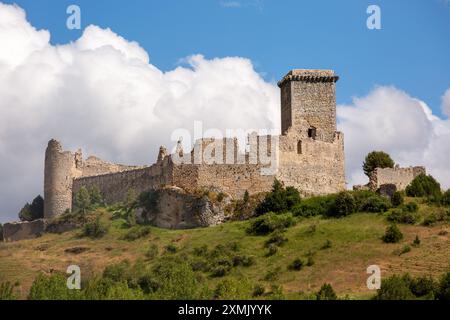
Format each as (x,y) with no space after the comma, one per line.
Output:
(314,167)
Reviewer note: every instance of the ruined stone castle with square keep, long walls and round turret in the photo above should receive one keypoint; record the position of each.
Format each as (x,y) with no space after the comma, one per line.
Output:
(309,156)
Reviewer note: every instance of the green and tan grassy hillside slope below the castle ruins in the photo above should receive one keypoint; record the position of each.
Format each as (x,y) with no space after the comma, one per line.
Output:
(339,249)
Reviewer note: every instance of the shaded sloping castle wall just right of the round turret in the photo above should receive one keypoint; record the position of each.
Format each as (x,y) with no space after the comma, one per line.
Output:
(115,186)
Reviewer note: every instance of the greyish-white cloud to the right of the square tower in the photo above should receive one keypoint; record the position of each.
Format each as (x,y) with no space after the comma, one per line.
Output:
(389,119)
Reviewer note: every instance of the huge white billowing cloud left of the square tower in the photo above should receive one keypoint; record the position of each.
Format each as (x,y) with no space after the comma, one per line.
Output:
(101,93)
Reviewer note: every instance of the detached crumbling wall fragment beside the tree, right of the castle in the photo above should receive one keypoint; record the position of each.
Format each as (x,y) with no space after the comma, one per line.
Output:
(400,177)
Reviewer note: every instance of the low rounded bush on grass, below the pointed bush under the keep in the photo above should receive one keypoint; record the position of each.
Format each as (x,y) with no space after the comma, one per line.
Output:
(269,223)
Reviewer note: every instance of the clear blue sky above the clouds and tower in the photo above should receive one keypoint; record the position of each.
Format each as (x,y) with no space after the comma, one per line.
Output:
(411,51)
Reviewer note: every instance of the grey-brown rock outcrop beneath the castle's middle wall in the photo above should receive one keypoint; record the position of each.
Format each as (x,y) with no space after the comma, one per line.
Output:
(176,209)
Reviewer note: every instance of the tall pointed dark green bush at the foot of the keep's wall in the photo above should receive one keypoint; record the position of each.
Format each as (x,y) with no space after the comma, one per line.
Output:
(279,200)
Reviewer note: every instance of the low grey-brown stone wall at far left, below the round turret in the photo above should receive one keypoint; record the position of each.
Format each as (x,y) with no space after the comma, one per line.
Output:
(16,231)
